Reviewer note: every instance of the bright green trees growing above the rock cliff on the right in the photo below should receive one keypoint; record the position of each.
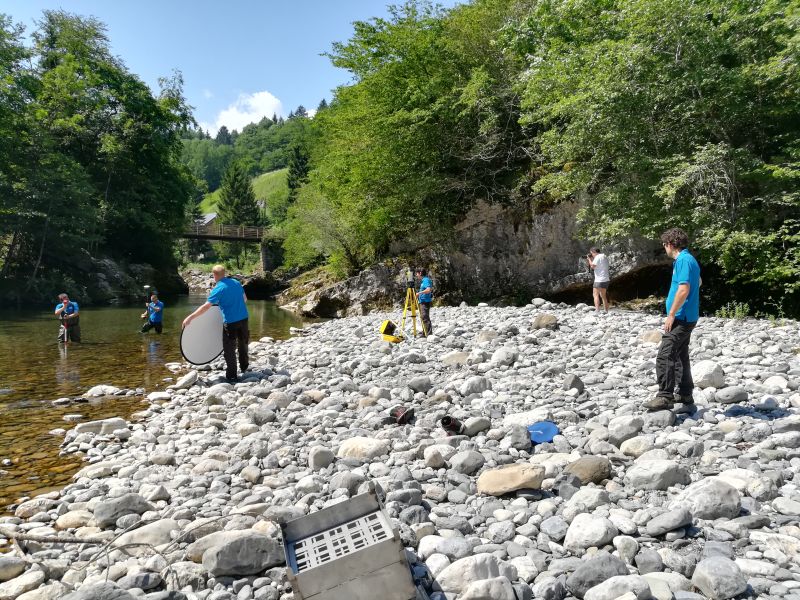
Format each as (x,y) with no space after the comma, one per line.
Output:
(650,113)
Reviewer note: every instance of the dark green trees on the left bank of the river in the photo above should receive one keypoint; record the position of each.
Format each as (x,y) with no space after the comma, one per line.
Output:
(90,157)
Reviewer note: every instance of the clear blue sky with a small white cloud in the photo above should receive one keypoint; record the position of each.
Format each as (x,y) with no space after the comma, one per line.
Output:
(240,59)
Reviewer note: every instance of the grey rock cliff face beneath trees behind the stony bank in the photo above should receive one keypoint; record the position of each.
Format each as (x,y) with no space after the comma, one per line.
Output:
(495,253)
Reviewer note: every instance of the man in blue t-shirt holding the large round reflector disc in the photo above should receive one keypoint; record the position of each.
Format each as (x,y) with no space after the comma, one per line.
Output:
(229,295)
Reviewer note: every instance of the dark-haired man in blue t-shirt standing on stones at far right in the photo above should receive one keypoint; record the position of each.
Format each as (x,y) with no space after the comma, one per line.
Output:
(683,311)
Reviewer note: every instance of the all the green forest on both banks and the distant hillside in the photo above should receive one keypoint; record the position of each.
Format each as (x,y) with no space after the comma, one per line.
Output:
(652,113)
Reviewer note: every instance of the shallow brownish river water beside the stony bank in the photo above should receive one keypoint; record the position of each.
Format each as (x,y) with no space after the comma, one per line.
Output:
(35,370)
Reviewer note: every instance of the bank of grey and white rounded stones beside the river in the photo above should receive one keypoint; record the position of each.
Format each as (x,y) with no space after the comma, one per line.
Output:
(186,500)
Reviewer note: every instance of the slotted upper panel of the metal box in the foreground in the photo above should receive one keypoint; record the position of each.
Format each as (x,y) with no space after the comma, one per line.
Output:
(340,541)
